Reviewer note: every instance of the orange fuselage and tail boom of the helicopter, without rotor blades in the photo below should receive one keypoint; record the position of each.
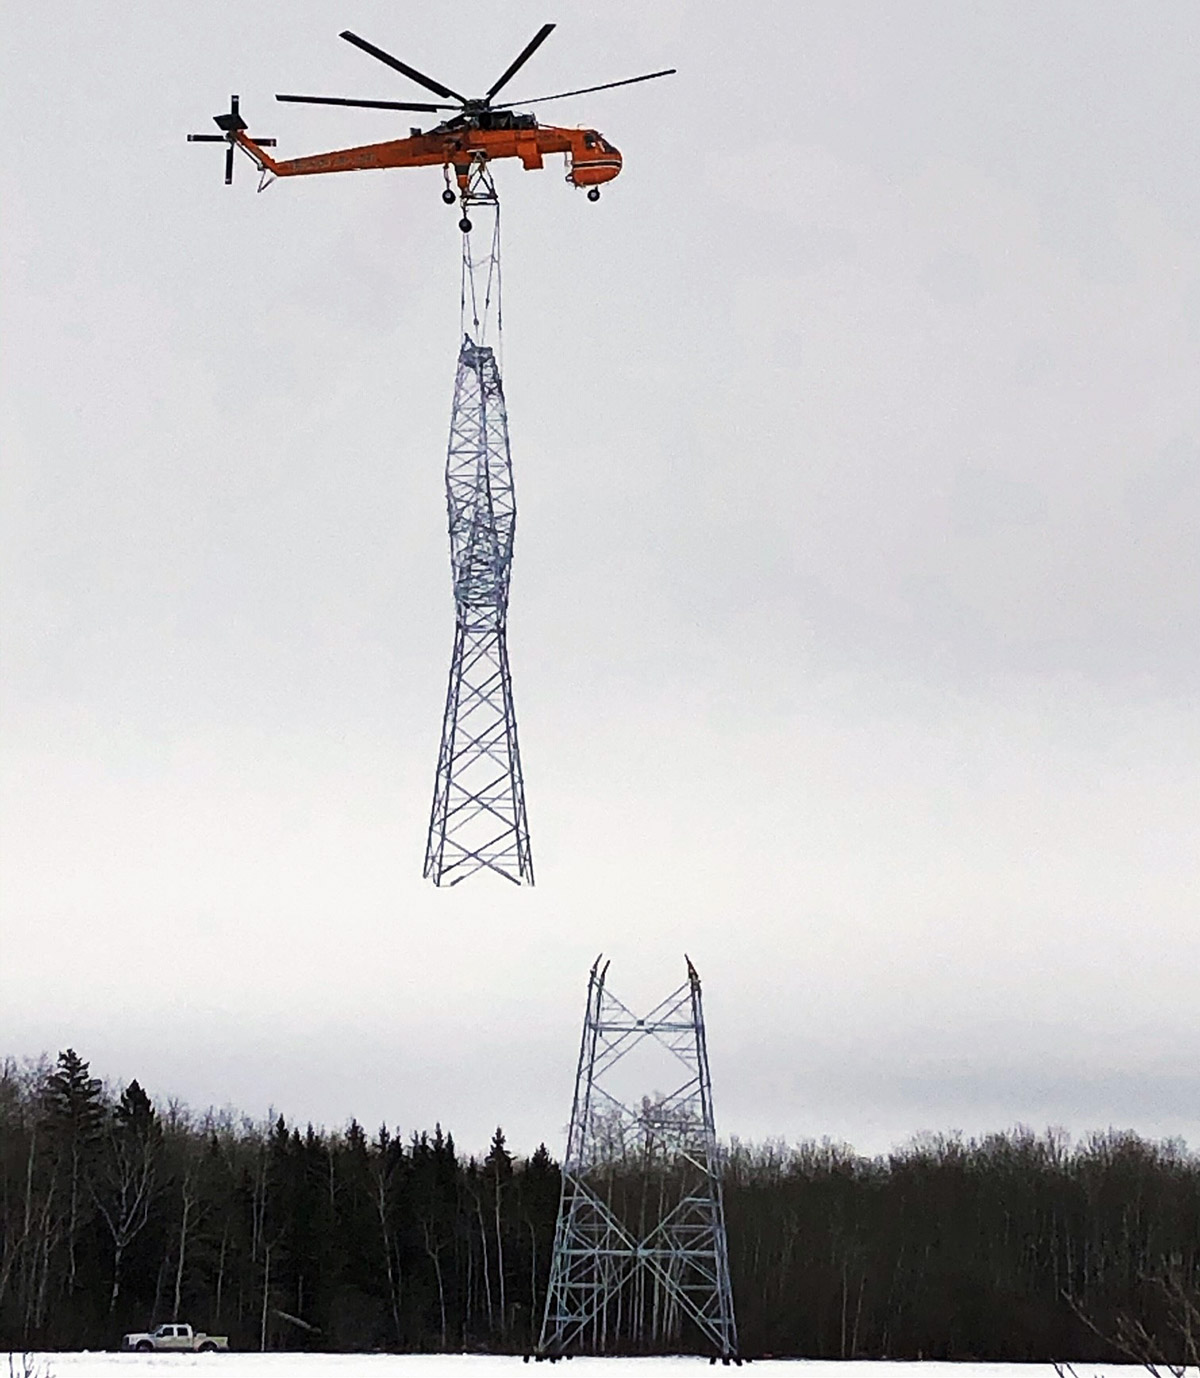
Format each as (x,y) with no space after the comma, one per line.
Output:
(458,145)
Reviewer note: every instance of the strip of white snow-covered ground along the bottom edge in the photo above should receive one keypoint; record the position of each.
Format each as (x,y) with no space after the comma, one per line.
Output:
(490,1366)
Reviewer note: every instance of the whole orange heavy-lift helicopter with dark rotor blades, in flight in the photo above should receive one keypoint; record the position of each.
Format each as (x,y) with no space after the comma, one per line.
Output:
(476,133)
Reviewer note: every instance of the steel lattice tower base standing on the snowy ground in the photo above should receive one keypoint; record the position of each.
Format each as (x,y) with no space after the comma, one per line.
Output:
(641,1259)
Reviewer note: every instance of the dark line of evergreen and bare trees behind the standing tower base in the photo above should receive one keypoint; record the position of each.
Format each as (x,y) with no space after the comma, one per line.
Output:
(118,1213)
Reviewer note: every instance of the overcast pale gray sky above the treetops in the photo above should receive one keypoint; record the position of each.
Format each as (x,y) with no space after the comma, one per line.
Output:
(855,607)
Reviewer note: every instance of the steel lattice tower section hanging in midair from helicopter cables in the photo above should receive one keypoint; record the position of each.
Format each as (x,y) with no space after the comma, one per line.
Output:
(479,811)
